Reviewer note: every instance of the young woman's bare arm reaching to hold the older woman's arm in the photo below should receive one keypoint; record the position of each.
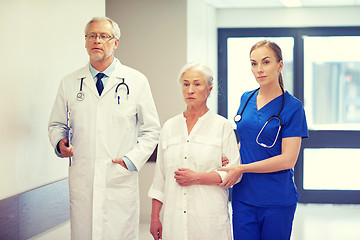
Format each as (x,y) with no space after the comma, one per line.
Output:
(286,160)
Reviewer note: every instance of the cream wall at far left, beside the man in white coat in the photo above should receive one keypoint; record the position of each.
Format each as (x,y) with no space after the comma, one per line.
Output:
(40,42)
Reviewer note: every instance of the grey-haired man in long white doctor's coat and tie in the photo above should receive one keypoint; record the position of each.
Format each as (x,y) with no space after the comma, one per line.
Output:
(115,128)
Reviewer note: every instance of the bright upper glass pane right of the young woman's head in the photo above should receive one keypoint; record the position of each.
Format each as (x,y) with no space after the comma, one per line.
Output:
(332,82)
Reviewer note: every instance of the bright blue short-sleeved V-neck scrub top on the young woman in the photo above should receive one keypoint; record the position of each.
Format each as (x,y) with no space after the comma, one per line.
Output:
(268,189)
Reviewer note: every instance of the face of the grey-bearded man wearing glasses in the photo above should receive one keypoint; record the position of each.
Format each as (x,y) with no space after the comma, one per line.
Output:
(100,49)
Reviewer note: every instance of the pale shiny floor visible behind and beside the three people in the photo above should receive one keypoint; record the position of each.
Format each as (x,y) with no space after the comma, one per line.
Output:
(312,222)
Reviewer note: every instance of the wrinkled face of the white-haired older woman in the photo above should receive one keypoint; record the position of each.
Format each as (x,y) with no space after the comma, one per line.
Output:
(195,88)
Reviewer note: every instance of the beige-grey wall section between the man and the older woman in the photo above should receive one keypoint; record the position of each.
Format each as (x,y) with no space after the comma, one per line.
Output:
(153,41)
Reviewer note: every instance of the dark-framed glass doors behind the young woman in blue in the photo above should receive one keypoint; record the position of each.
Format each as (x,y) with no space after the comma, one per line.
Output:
(322,69)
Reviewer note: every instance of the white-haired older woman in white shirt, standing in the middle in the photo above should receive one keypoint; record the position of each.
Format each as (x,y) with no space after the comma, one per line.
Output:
(185,186)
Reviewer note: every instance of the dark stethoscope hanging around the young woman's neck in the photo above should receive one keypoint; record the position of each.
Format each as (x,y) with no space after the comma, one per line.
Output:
(237,118)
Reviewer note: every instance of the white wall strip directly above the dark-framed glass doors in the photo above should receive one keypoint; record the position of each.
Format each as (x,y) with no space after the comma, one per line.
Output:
(288,17)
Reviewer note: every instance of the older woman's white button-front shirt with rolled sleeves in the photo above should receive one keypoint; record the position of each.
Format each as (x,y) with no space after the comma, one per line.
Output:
(198,211)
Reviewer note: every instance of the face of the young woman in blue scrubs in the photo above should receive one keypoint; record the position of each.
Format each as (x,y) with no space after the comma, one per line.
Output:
(264,65)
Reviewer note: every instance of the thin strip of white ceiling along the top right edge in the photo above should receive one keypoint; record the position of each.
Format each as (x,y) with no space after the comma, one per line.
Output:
(280,3)
